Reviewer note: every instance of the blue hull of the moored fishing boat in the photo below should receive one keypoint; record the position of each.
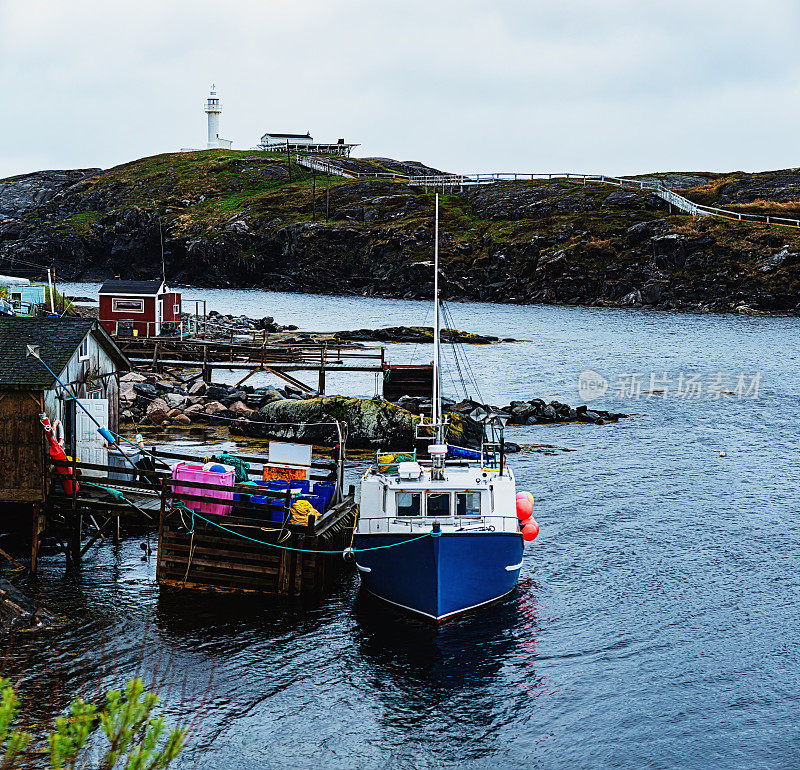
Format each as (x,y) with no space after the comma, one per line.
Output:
(439,577)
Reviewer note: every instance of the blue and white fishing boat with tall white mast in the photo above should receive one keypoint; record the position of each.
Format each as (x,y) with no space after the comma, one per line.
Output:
(440,536)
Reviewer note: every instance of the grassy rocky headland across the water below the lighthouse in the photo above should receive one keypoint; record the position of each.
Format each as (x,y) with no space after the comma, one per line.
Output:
(238,220)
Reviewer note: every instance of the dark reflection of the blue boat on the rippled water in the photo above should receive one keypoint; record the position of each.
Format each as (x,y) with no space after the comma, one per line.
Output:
(472,676)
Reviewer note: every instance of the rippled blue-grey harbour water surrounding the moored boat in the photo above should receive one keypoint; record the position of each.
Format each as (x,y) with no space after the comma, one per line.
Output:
(658,619)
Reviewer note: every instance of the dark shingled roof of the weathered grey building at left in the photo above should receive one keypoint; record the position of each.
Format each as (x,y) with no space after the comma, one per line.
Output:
(57,338)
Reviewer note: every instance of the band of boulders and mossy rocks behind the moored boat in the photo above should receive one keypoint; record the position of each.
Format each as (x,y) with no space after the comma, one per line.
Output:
(285,413)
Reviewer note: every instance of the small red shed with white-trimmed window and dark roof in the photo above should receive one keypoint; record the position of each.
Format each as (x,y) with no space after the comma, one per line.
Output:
(139,308)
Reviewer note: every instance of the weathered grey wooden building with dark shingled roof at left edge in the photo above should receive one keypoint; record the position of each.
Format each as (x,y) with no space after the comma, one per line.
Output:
(88,361)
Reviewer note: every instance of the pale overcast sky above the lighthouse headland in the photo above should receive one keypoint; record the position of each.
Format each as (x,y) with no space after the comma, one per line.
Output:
(614,86)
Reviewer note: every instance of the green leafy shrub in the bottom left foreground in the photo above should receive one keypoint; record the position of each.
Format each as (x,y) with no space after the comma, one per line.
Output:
(123,732)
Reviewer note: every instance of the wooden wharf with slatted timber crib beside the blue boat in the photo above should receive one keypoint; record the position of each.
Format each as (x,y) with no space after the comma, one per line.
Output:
(243,551)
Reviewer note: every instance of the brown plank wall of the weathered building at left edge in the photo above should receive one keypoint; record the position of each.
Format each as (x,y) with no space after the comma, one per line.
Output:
(21,447)
